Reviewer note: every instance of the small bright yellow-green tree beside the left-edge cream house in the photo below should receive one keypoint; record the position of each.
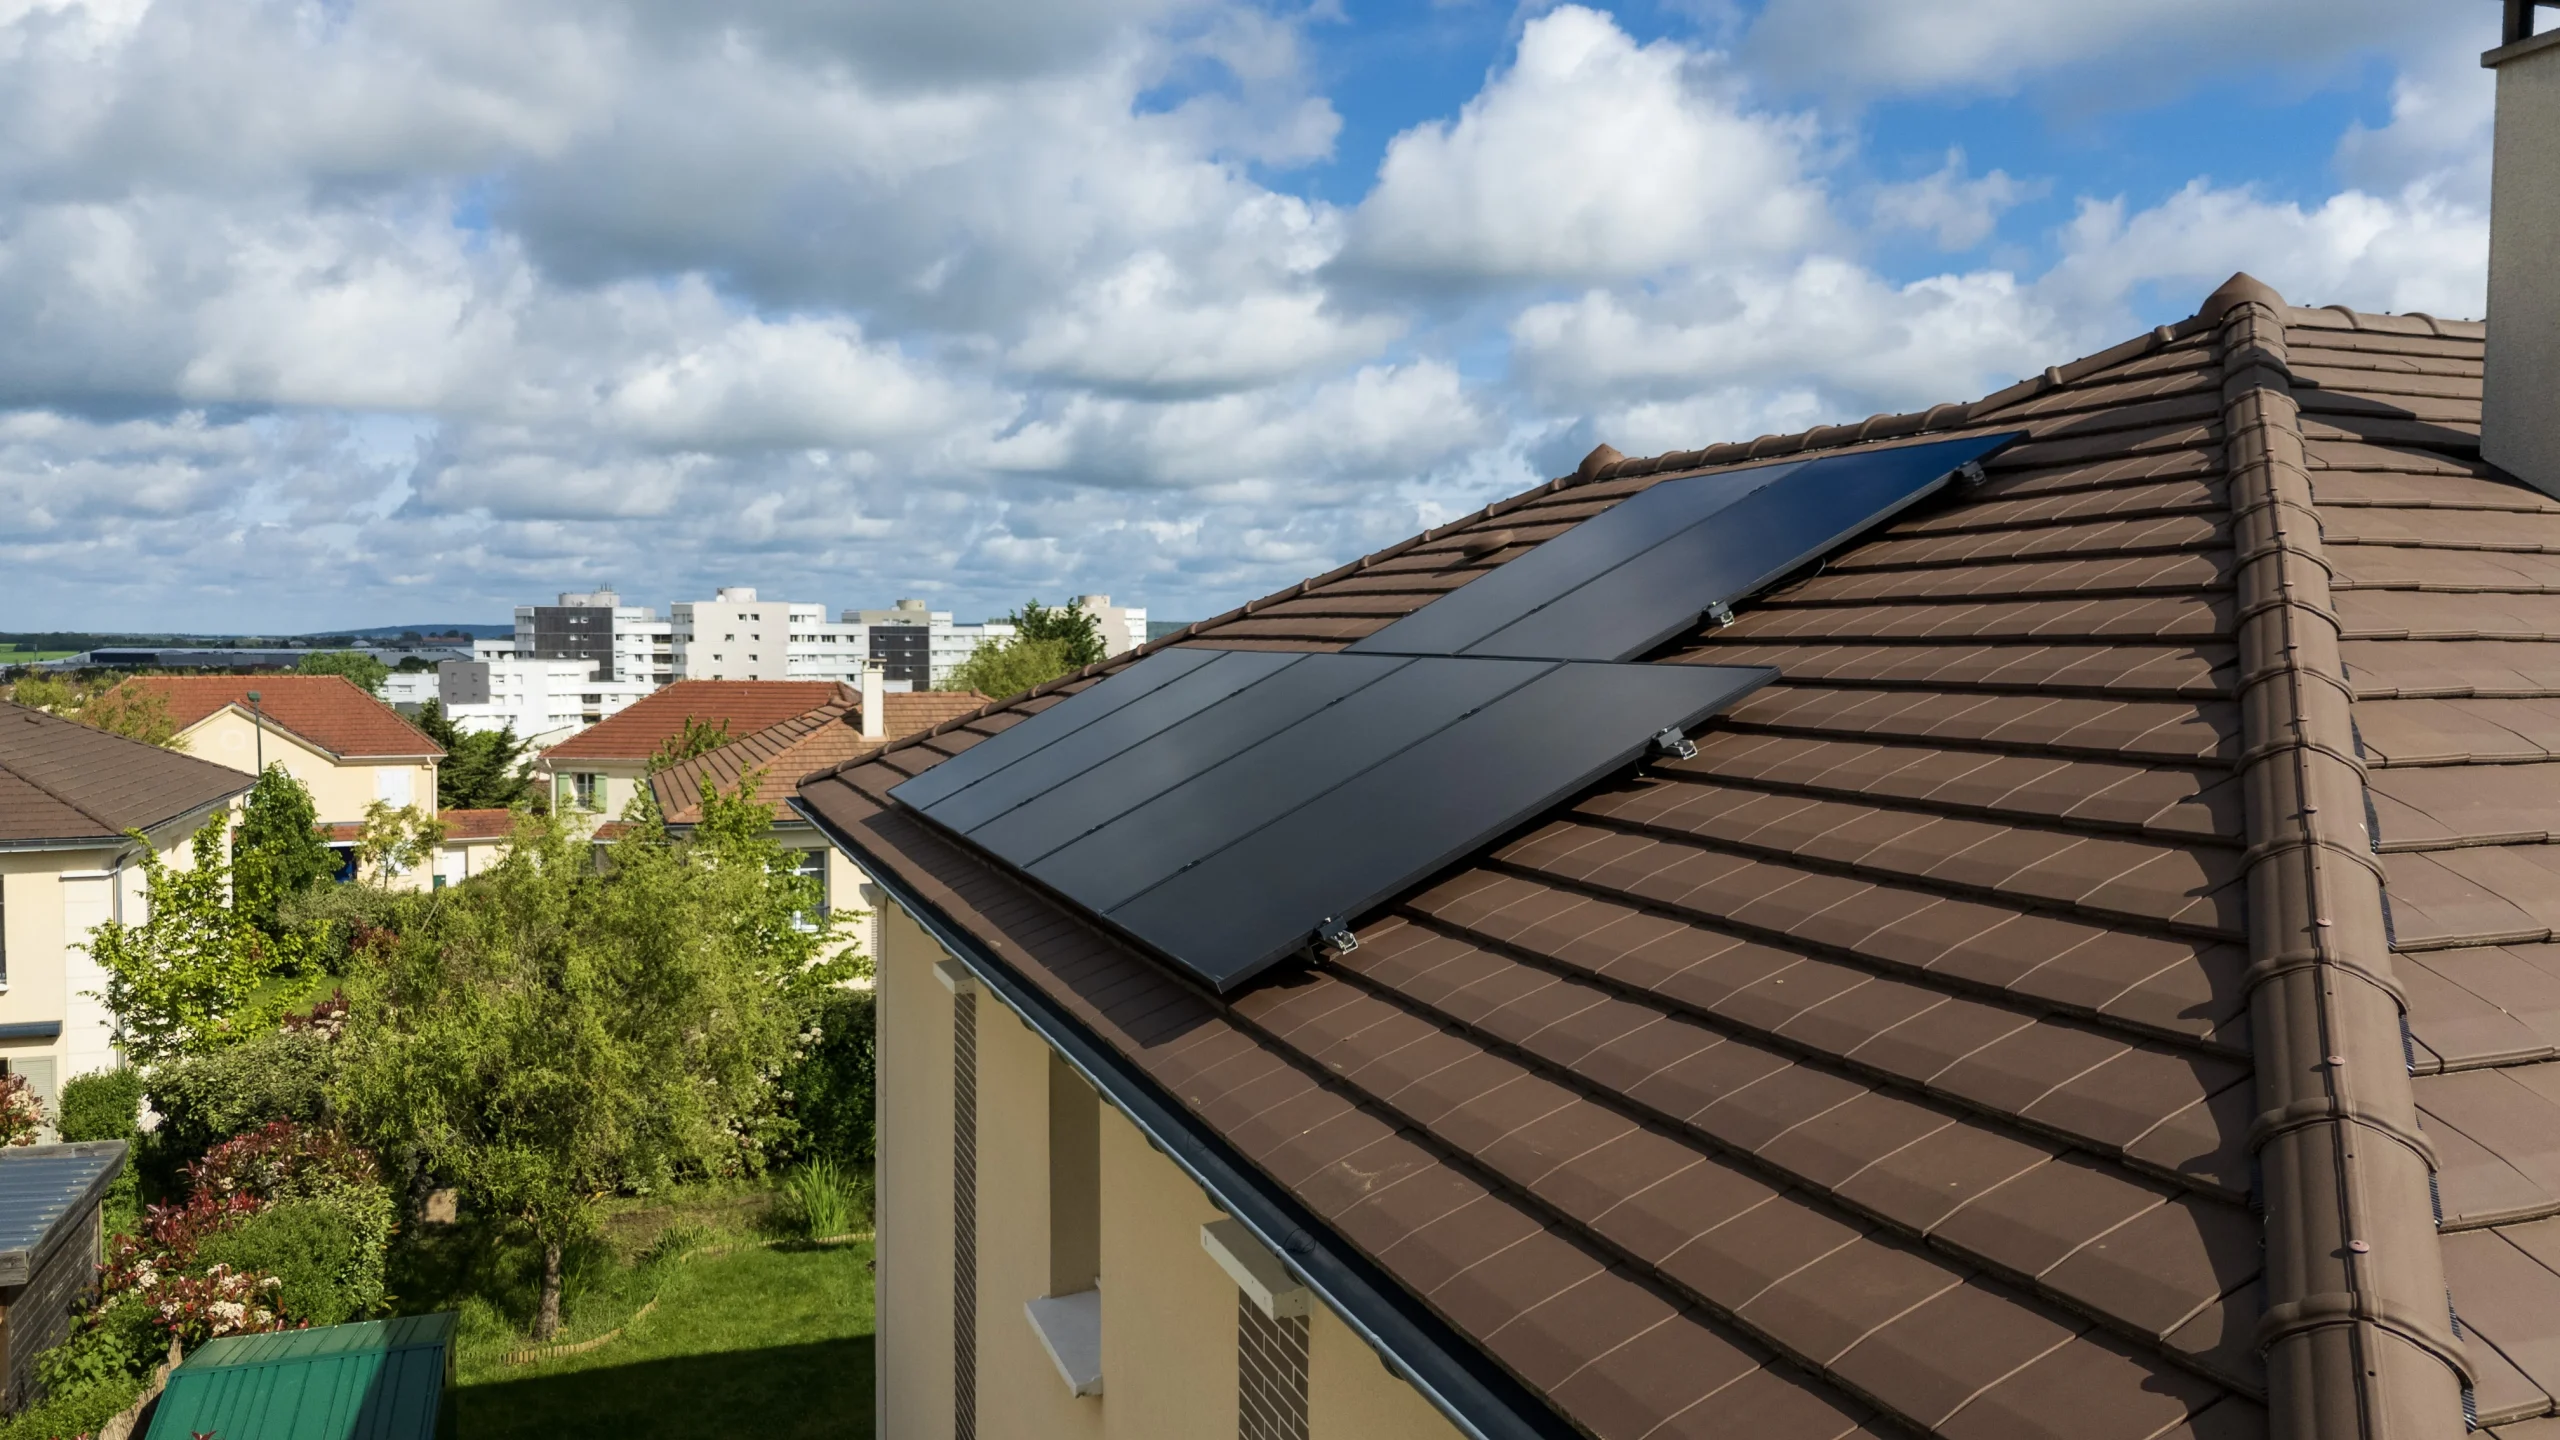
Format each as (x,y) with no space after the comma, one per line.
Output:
(186,980)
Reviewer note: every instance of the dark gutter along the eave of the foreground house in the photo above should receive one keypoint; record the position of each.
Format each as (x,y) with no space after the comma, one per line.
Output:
(1478,1398)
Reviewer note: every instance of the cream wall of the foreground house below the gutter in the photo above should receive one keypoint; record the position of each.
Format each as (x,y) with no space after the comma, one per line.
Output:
(1169,1308)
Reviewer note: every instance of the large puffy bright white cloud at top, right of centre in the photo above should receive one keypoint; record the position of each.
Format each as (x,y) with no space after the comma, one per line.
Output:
(1591,160)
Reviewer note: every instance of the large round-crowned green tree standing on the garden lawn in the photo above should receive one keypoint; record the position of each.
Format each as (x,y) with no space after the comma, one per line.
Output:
(557,1031)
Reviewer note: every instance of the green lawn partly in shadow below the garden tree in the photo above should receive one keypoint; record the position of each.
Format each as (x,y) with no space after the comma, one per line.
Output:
(749,1336)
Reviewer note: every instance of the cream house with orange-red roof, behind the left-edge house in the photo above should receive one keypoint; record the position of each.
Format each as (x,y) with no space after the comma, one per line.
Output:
(326,732)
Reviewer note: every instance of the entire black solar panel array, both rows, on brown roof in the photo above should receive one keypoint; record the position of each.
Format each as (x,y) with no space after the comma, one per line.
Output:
(1233,808)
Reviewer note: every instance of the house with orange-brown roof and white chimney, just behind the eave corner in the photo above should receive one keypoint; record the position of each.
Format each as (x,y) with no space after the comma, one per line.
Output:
(780,755)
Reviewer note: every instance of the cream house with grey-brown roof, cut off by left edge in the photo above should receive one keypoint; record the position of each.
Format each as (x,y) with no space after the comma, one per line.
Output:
(68,801)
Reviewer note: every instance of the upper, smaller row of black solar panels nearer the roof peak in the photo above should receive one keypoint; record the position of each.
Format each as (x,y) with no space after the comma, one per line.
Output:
(1645,570)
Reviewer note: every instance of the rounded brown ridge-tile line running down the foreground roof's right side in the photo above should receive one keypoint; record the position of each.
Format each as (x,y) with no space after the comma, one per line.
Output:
(2359,1334)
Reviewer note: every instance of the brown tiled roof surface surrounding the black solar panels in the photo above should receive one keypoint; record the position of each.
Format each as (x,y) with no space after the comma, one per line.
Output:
(1993,1031)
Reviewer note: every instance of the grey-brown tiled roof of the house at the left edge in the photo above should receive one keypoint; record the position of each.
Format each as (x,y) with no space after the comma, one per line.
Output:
(68,783)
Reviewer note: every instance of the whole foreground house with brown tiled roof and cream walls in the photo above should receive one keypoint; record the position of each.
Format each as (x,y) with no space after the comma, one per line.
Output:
(1993,1031)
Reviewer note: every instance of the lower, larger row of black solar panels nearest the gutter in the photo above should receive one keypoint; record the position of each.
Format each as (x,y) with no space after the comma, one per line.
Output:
(1228,814)
